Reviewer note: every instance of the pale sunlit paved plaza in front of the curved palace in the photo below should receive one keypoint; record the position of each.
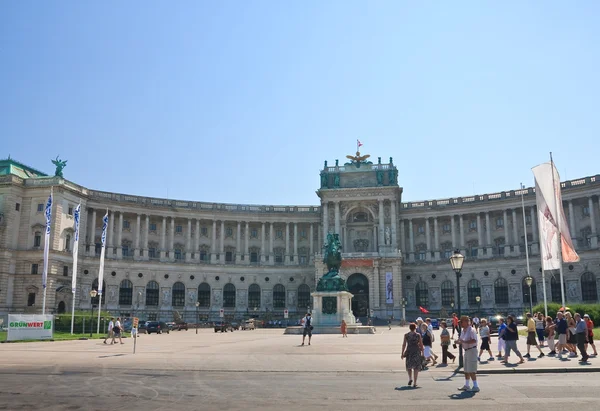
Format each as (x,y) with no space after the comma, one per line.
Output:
(267,370)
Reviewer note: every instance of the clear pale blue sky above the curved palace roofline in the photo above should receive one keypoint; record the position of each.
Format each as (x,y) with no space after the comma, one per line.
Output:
(242,101)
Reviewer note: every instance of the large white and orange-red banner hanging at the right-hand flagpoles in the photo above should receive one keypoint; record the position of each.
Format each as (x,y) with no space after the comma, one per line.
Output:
(551,218)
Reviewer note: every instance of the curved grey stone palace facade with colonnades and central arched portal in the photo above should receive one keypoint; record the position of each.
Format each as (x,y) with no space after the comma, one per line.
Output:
(164,255)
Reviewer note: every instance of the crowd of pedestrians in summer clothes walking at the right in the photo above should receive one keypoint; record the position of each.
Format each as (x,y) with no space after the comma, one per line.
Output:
(564,335)
